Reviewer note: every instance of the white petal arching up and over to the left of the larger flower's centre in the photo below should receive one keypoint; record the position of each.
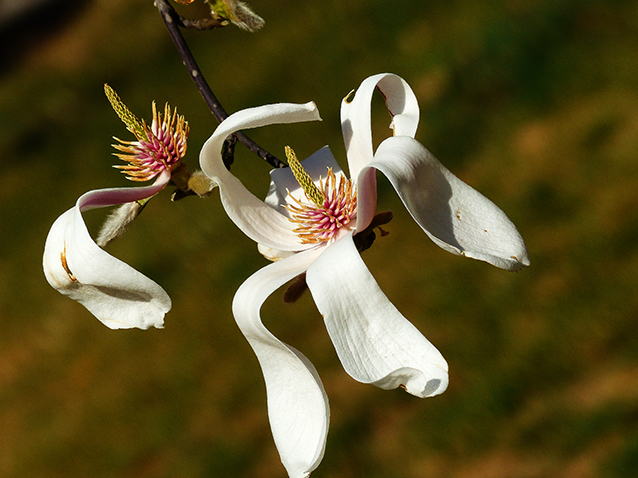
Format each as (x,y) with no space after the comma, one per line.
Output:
(257,220)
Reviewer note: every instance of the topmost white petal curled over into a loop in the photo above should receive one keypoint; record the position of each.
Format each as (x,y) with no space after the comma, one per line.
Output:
(355,116)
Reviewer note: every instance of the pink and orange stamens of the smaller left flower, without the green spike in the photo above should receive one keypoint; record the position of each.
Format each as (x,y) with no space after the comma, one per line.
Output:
(160,149)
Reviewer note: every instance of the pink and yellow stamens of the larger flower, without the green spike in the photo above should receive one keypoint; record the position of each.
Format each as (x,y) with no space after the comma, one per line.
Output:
(318,224)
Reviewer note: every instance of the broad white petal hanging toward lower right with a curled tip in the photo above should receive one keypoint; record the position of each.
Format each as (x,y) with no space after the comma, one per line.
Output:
(375,343)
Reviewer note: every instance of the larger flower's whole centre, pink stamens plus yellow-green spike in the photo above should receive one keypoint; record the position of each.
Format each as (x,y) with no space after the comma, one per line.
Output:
(330,207)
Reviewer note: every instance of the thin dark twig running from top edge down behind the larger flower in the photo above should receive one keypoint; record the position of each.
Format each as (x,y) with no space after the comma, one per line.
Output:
(173,22)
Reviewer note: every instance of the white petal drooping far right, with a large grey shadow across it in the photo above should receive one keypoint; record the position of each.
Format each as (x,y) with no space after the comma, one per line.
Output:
(454,215)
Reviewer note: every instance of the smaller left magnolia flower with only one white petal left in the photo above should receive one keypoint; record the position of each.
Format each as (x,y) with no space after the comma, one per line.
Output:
(118,295)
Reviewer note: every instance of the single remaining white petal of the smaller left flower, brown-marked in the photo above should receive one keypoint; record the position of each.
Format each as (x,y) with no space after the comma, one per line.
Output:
(118,295)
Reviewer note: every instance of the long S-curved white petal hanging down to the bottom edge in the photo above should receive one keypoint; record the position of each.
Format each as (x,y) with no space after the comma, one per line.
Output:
(297,403)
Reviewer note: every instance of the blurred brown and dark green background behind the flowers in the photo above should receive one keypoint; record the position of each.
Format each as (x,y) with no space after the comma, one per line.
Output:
(534,103)
